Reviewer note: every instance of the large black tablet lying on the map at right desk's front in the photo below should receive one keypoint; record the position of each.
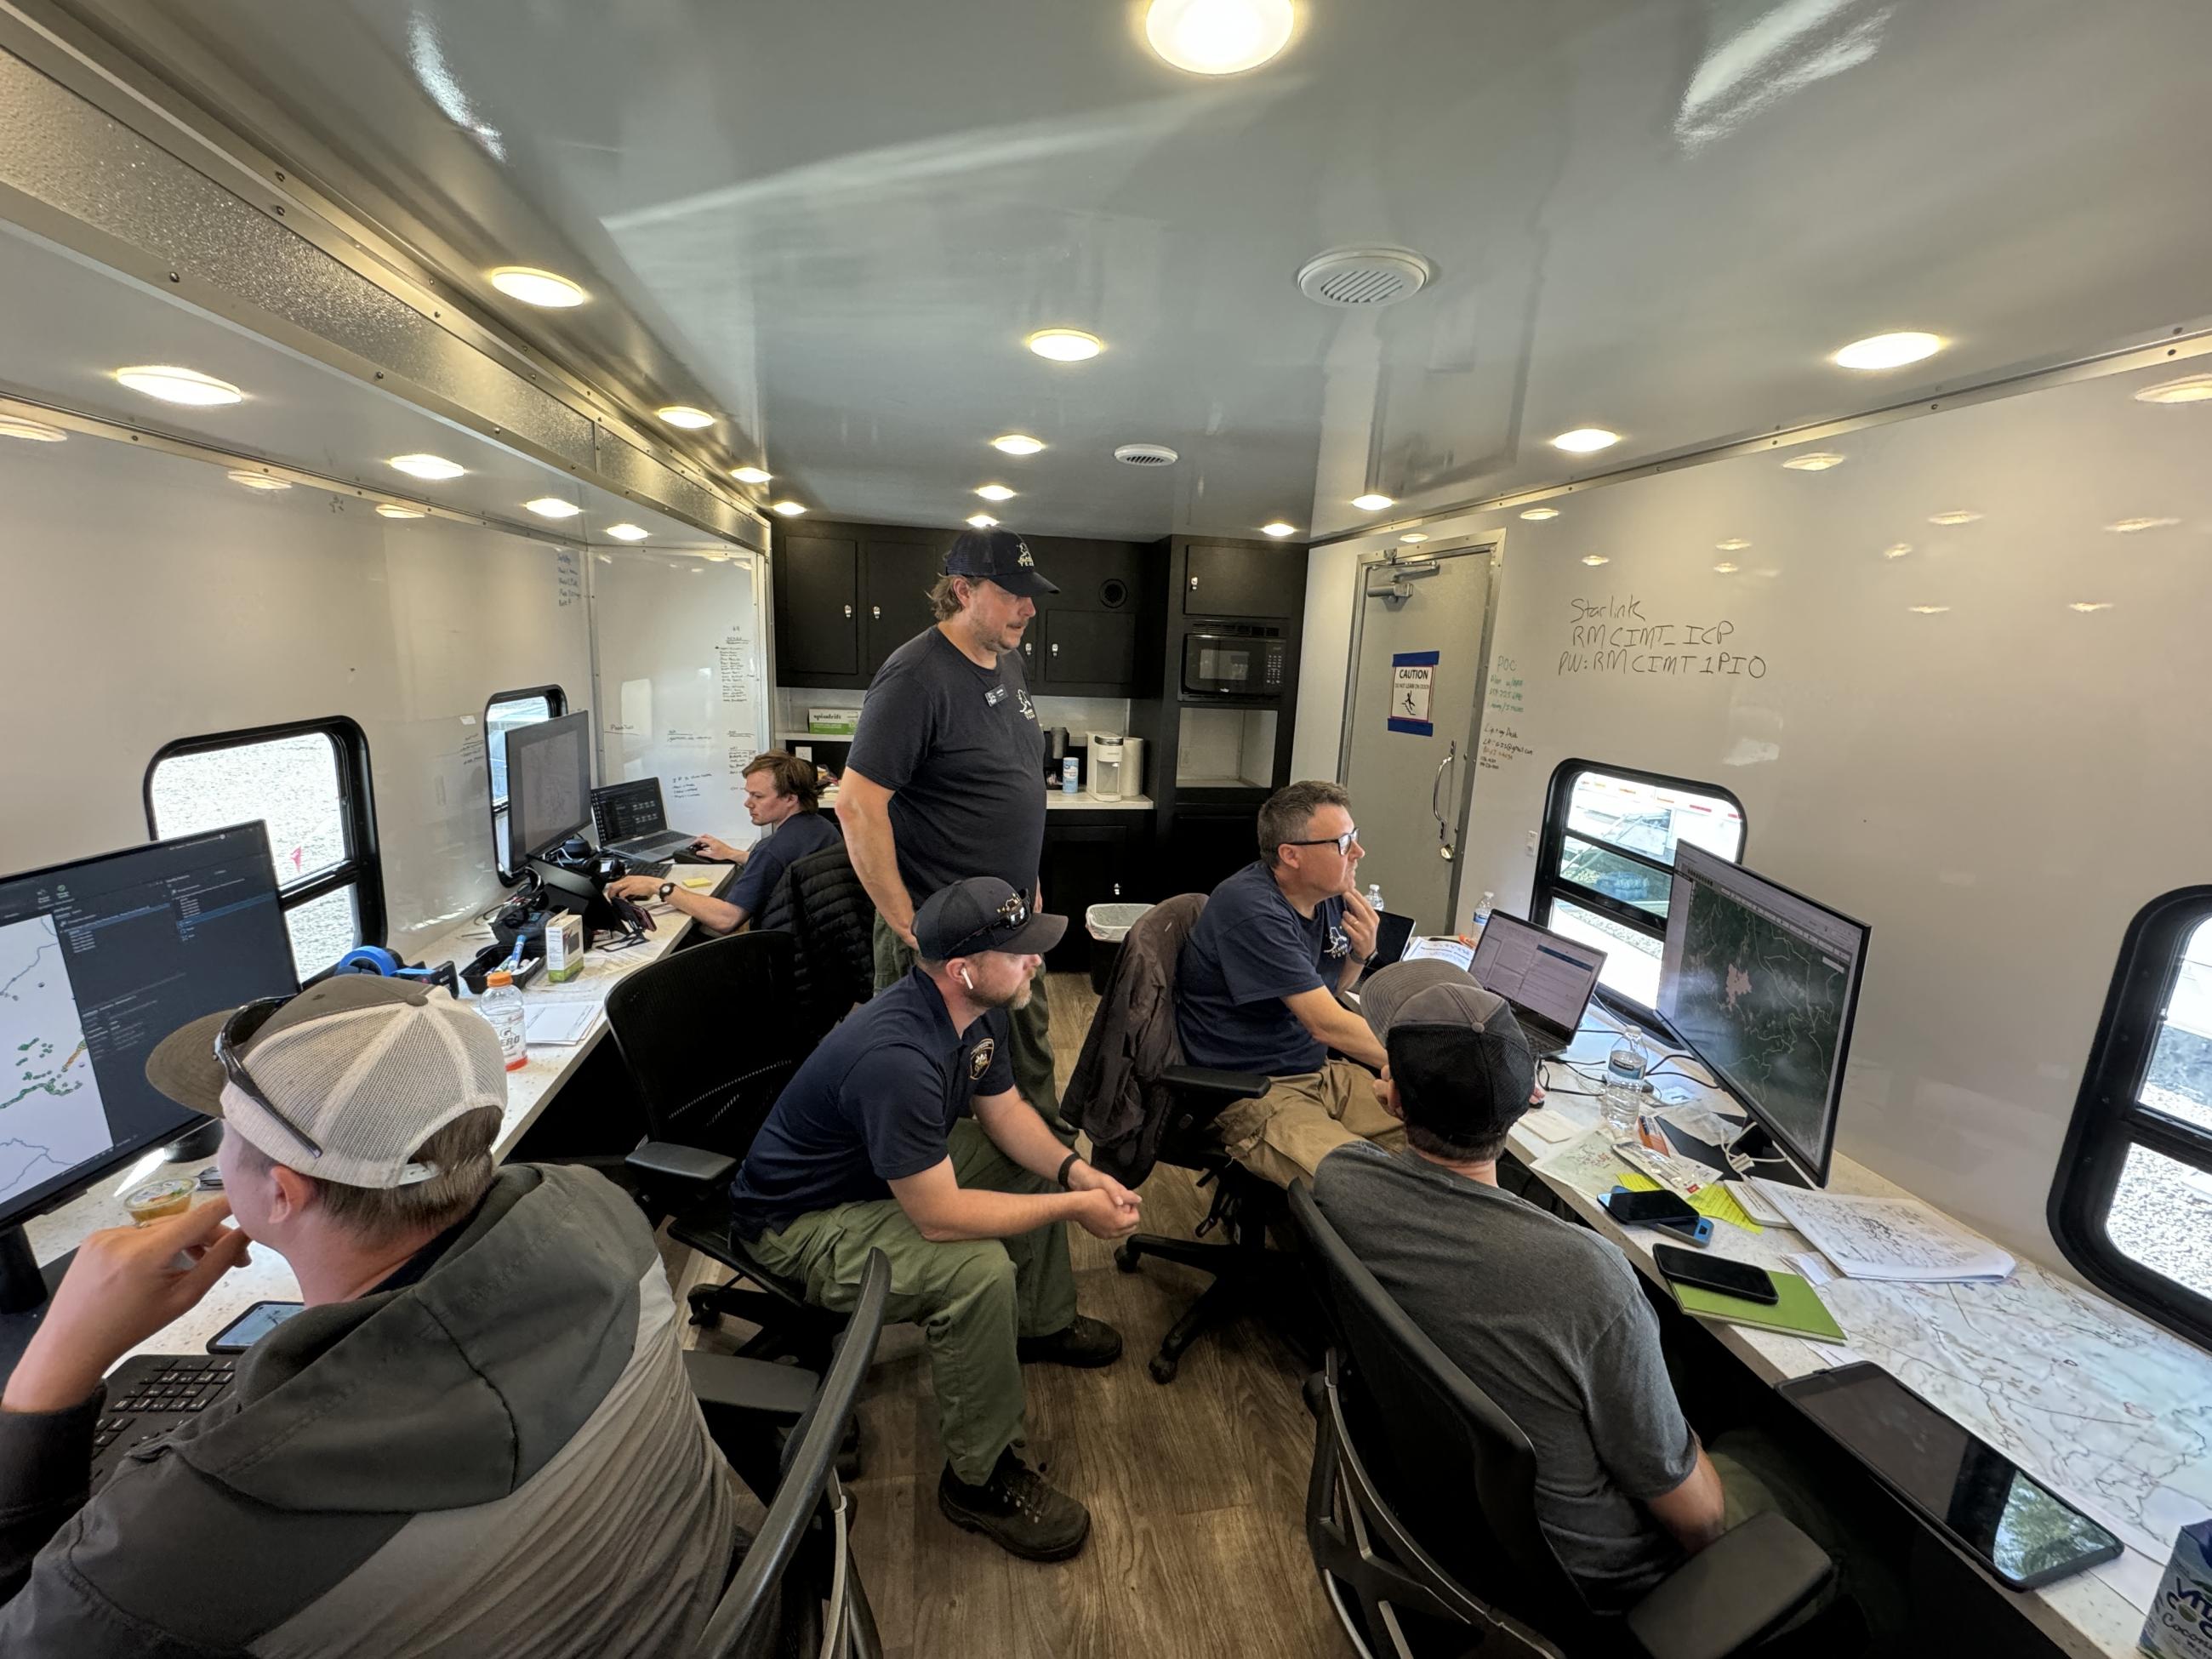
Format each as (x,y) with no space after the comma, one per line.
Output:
(1957,1481)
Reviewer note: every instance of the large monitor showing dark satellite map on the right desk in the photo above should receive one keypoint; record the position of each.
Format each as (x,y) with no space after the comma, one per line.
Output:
(1762,985)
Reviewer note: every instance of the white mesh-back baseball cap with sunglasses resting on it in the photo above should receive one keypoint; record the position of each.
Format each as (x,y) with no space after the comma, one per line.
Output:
(359,1070)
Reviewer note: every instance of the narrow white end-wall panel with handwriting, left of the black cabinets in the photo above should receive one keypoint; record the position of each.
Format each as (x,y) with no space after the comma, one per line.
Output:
(680,680)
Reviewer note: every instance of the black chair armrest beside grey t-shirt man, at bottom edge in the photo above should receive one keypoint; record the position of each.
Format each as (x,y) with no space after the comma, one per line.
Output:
(1733,1594)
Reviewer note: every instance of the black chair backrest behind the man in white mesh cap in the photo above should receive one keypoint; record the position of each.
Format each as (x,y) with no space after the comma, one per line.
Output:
(797,1583)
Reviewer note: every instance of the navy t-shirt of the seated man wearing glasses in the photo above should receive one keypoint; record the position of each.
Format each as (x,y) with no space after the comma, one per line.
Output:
(1249,952)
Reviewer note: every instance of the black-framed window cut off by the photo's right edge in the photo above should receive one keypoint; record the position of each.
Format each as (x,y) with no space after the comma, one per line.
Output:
(2133,1198)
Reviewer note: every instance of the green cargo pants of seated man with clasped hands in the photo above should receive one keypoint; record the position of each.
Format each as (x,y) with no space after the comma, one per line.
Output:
(972,1297)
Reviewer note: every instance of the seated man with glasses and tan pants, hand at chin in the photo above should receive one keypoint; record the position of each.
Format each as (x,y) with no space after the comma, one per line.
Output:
(1255,990)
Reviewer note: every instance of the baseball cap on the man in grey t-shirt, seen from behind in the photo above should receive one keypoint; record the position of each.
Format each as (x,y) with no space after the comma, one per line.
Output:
(1457,1054)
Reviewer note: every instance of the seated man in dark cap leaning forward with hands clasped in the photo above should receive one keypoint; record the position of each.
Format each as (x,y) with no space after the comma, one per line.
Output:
(904,1134)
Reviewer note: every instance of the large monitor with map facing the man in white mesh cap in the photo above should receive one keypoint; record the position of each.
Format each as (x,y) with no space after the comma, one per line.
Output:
(98,963)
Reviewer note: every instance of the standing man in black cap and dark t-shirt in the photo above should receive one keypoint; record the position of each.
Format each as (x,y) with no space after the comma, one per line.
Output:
(946,778)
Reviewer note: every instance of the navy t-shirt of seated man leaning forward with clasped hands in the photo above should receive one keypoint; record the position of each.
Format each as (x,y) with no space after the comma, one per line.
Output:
(873,1105)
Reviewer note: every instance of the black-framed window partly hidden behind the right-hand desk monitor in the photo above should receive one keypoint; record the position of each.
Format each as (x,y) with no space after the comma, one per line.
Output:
(1607,862)
